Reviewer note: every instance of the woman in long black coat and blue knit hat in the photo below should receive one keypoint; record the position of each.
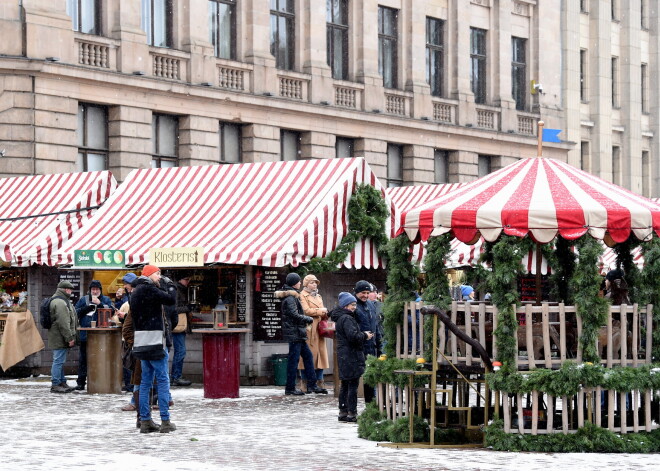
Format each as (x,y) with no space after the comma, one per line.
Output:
(350,354)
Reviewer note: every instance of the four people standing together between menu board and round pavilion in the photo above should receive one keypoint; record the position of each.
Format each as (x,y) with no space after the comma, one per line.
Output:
(358,333)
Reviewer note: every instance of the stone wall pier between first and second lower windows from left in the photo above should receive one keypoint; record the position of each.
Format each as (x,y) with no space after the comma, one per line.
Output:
(129,139)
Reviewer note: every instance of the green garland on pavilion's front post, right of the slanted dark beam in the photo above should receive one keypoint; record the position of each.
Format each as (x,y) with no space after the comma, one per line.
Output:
(507,256)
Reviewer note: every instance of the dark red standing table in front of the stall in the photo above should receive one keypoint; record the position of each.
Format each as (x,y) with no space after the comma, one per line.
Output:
(221,358)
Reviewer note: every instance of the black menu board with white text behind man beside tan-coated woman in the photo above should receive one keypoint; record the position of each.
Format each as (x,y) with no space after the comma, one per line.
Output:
(267,315)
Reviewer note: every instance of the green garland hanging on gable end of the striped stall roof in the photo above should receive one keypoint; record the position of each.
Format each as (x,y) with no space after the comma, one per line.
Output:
(367,215)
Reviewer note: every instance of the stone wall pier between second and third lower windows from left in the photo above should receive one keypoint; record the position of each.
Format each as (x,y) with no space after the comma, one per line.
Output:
(198,141)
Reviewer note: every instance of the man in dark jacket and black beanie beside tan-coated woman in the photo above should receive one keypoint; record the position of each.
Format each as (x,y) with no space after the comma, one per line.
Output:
(294,330)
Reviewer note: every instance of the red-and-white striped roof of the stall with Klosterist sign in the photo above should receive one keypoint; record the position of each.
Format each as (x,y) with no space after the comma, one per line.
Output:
(268,214)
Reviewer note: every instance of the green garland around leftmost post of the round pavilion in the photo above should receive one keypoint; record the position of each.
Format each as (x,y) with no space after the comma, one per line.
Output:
(401,282)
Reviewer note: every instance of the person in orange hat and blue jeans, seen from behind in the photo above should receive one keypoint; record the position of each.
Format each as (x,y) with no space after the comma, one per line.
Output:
(150,329)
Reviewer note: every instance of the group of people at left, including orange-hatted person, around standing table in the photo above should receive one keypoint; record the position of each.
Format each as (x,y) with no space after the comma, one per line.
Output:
(148,309)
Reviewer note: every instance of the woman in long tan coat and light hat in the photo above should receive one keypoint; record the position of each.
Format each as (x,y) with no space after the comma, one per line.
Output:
(312,304)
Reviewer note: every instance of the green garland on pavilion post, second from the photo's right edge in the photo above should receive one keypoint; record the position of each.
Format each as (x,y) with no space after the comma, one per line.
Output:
(585,285)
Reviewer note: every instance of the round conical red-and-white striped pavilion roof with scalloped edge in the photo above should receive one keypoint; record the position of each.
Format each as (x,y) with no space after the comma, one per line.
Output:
(536,196)
